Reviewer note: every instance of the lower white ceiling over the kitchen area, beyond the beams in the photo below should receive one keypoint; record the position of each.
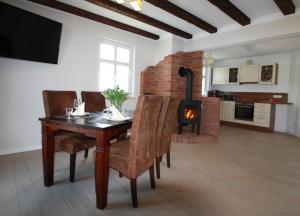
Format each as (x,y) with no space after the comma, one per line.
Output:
(274,46)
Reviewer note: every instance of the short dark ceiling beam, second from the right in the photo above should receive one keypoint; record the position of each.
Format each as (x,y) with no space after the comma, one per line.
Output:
(232,11)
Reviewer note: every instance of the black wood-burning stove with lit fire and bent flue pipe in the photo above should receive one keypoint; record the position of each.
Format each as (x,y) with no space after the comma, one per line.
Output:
(189,111)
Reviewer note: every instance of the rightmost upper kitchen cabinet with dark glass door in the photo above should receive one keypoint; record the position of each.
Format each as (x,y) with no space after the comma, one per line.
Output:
(268,74)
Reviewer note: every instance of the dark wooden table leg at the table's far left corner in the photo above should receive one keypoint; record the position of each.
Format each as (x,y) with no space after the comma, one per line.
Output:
(48,154)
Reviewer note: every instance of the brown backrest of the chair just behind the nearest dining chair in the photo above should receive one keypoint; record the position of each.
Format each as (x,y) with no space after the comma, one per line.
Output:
(166,122)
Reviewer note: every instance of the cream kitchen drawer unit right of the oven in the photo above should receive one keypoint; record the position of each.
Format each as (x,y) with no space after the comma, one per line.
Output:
(262,114)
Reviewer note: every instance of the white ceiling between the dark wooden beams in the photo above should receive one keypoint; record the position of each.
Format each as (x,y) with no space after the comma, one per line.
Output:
(255,9)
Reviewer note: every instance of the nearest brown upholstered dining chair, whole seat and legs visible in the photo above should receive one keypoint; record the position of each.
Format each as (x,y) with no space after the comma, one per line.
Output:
(133,156)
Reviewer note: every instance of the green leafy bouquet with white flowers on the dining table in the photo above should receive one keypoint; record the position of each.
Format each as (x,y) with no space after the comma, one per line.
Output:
(116,96)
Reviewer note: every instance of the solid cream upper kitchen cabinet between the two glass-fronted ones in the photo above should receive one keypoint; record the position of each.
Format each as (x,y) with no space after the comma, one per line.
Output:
(249,73)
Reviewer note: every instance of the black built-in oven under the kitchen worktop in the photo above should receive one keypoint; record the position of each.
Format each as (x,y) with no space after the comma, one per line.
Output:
(244,111)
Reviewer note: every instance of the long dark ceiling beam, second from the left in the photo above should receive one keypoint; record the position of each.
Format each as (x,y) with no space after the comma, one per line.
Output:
(113,6)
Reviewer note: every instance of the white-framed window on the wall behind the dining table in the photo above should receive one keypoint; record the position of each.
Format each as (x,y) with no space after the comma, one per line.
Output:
(116,63)
